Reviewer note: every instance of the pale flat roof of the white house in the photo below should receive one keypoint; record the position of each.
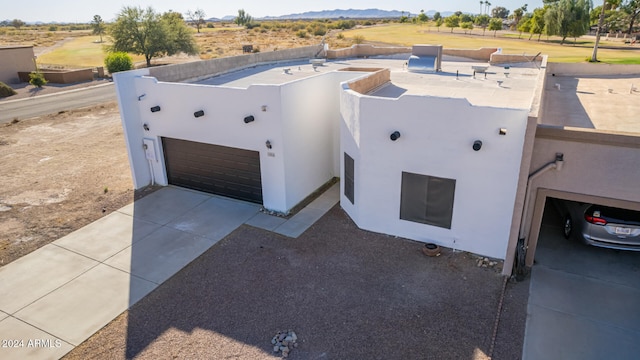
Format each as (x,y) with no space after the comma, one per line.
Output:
(511,87)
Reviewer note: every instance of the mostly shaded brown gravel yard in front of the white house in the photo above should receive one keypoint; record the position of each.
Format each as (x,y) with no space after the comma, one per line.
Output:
(347,293)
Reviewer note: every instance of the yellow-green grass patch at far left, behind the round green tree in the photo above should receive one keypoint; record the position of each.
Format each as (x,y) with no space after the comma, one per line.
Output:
(85,51)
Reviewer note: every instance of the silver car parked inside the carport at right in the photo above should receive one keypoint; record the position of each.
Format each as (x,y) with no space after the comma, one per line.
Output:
(598,225)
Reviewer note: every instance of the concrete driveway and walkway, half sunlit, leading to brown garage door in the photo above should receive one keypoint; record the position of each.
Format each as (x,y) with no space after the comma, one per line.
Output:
(54,298)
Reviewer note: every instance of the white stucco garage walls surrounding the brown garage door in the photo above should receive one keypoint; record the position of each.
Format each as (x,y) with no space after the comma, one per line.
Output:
(301,121)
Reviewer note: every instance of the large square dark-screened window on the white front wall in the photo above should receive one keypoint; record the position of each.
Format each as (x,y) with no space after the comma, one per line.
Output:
(427,199)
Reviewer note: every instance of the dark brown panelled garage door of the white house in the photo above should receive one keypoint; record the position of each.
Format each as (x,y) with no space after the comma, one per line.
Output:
(214,169)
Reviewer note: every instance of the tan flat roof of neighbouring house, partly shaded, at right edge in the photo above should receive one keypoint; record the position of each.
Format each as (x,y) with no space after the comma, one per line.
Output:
(601,102)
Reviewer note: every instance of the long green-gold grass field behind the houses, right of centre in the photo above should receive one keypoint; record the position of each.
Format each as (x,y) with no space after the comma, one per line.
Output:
(409,34)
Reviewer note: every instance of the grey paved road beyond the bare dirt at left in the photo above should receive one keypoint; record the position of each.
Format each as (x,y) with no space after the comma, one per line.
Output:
(52,103)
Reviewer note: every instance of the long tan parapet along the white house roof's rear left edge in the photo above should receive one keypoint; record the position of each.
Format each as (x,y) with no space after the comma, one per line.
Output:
(202,69)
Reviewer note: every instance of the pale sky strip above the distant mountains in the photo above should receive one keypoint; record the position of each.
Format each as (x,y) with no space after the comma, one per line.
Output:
(74,11)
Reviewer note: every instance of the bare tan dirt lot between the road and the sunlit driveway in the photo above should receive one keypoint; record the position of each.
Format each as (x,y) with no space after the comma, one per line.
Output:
(59,172)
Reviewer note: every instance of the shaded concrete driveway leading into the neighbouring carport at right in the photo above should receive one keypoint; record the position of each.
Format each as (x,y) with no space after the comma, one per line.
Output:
(584,302)
